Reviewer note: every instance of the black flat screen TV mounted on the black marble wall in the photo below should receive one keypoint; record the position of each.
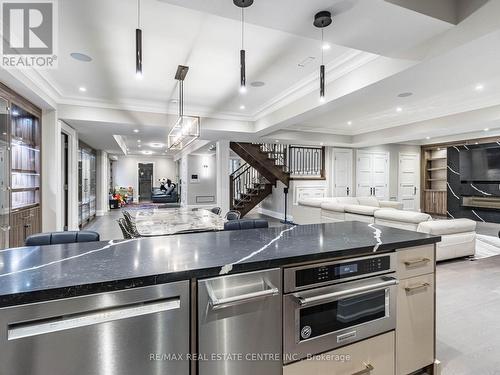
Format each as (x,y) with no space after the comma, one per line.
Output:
(480,165)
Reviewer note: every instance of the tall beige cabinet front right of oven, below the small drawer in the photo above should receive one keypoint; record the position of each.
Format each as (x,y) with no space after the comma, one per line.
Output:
(415,324)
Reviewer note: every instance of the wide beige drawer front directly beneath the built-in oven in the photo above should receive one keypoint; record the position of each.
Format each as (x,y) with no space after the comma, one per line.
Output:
(376,354)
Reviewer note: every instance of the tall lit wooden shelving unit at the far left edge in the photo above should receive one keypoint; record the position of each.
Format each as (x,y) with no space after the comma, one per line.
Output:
(20,168)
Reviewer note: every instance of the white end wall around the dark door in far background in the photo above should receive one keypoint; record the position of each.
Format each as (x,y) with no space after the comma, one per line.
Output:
(125,170)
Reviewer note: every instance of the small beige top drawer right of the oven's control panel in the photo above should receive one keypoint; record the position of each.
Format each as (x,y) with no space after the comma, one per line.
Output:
(415,261)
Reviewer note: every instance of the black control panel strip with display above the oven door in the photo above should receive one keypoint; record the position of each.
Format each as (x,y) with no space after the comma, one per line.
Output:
(356,268)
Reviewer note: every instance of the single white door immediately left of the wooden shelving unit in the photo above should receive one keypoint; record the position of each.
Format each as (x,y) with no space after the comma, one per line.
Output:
(408,181)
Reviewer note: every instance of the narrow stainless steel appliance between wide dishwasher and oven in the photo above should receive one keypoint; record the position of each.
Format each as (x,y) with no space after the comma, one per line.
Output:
(239,324)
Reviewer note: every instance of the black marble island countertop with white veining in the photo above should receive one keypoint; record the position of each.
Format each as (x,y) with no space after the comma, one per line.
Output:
(30,274)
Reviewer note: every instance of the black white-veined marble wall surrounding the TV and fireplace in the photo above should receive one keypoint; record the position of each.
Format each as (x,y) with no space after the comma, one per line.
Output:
(457,189)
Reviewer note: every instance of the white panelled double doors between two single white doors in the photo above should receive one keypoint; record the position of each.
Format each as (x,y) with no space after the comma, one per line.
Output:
(372,174)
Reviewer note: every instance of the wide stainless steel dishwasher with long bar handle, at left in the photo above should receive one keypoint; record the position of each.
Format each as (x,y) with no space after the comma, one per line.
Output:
(135,331)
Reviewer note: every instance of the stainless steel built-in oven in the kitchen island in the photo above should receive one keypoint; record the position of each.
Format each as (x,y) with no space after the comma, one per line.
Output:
(333,304)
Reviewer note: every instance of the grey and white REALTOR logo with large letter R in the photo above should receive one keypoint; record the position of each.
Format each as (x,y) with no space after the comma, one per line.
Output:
(28,34)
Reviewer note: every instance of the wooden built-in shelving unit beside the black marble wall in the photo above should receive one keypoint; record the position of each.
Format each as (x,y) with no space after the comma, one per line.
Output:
(434,176)
